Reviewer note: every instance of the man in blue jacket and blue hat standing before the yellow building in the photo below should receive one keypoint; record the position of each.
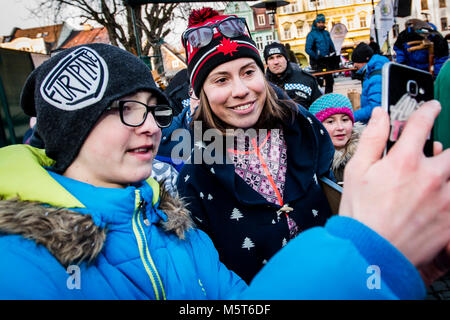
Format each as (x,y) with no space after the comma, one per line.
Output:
(321,51)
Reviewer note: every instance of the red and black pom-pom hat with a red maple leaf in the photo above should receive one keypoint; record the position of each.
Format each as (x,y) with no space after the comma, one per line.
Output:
(201,61)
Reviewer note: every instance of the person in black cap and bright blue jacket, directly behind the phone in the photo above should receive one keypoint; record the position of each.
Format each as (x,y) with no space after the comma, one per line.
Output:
(369,71)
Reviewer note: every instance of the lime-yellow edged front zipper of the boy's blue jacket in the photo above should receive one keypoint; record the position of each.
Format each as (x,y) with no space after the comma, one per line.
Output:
(142,243)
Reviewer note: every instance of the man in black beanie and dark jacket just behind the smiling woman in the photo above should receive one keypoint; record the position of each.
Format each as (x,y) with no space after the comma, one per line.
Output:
(301,86)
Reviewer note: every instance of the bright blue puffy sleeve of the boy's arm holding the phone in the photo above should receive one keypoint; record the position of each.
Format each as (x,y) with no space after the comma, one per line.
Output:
(343,260)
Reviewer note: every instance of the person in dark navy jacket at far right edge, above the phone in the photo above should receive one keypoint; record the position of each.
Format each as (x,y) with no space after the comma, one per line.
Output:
(418,30)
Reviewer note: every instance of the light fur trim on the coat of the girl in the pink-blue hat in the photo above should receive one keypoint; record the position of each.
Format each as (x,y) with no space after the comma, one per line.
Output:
(342,156)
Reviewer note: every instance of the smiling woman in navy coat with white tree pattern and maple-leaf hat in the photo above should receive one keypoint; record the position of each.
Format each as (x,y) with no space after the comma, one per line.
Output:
(265,189)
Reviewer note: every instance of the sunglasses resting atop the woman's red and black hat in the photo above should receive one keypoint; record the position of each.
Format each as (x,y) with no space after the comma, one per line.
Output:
(201,36)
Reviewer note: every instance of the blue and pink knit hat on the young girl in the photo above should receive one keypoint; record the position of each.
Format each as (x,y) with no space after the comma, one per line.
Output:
(330,104)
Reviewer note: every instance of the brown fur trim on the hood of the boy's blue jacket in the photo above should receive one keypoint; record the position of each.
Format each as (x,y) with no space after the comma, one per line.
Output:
(73,237)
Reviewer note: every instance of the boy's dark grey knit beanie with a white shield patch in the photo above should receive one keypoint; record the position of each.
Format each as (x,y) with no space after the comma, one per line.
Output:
(70,91)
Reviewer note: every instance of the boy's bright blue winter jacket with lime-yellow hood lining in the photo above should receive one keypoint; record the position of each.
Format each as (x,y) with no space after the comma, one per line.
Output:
(112,245)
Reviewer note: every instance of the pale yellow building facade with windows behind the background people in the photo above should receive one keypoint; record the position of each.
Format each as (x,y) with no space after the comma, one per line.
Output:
(295,21)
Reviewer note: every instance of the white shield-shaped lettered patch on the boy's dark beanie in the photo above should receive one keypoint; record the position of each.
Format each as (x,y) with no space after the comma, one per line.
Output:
(77,81)
